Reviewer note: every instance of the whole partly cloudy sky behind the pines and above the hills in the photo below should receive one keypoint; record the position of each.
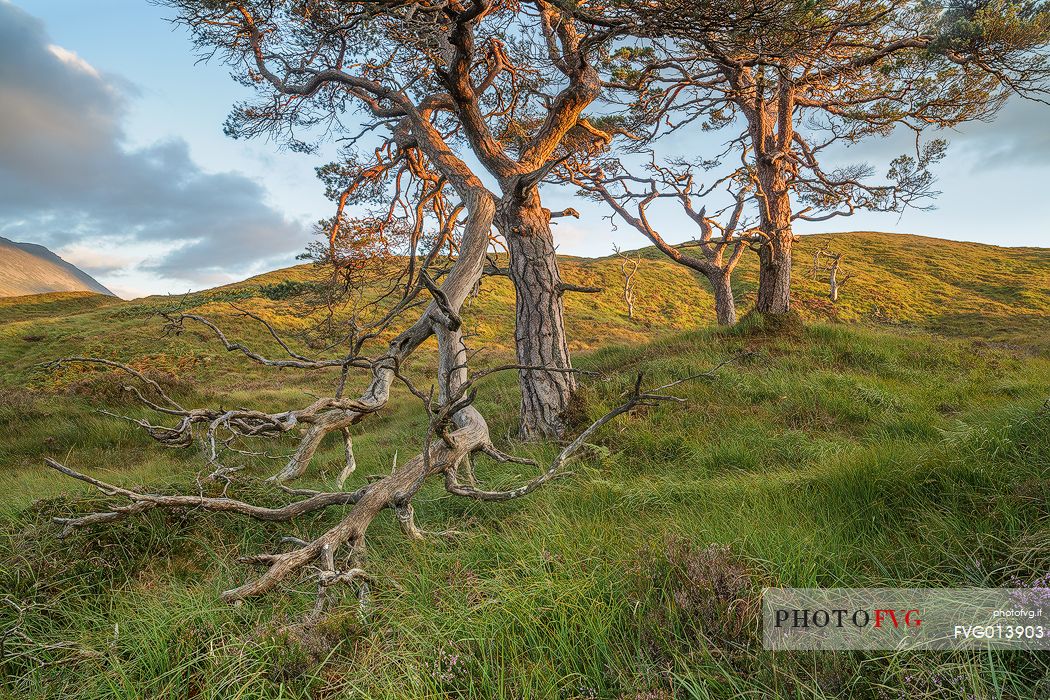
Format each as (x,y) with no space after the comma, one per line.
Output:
(113,155)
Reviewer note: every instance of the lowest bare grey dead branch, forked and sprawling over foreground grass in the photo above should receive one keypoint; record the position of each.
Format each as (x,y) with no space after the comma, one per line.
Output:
(457,433)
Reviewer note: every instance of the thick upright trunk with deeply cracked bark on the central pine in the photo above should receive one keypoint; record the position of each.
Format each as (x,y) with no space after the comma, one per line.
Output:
(540,327)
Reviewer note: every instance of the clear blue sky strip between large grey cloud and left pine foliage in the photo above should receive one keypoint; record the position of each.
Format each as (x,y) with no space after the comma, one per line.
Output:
(175,97)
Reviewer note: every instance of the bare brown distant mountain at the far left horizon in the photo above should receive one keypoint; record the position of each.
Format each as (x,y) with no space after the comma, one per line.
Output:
(32,269)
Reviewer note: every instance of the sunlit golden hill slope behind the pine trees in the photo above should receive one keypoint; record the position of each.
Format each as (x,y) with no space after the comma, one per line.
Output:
(982,293)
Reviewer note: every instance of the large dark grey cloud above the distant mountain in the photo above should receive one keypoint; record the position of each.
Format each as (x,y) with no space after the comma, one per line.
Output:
(68,181)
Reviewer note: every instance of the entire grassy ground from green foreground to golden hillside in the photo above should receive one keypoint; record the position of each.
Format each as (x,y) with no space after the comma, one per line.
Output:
(898,438)
